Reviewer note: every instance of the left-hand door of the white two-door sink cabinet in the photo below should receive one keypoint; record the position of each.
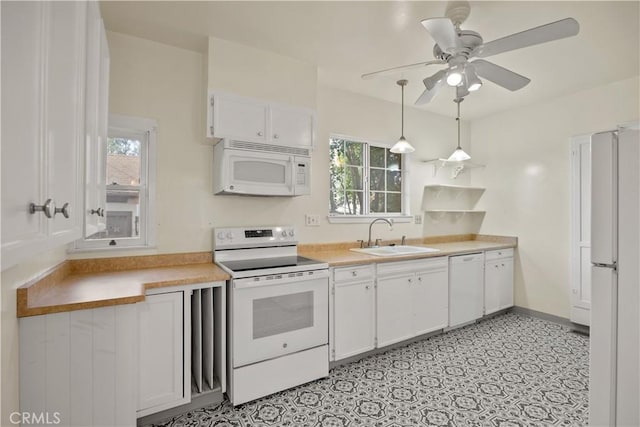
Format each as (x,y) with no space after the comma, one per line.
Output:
(395,317)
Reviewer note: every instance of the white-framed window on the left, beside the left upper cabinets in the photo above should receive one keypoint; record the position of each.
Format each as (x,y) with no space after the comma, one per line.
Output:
(125,187)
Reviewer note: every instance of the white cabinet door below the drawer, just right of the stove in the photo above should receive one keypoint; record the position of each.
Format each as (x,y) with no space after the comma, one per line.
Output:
(354,315)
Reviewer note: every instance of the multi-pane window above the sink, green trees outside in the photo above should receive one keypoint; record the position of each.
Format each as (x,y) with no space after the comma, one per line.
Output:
(366,180)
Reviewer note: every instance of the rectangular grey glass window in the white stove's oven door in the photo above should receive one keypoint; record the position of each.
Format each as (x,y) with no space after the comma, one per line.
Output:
(282,314)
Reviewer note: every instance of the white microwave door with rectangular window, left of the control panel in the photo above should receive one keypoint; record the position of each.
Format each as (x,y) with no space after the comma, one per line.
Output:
(256,173)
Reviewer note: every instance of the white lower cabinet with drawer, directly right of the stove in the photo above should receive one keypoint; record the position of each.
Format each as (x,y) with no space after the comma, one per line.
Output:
(354,311)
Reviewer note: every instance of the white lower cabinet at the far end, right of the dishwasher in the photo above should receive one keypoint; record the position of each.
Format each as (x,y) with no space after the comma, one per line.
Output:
(498,280)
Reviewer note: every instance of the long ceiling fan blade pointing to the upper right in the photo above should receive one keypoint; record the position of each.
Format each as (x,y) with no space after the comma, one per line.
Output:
(545,33)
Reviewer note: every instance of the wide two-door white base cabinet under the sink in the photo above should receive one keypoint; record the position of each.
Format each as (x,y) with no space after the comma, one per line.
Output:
(412,299)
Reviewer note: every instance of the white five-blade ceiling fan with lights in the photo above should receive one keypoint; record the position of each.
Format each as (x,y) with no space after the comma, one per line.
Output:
(462,51)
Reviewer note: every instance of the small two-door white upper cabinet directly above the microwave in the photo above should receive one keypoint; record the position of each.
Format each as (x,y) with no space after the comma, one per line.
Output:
(252,120)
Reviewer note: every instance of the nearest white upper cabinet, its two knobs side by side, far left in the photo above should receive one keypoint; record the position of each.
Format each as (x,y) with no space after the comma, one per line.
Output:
(44,66)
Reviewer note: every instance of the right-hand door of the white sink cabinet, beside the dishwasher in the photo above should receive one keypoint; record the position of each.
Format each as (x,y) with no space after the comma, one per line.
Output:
(431,301)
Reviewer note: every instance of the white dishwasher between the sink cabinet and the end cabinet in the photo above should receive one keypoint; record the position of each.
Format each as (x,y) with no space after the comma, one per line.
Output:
(466,296)
